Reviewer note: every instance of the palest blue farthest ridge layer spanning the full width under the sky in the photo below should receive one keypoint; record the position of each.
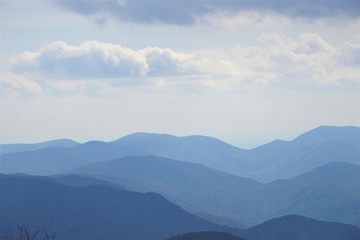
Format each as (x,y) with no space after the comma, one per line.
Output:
(275,160)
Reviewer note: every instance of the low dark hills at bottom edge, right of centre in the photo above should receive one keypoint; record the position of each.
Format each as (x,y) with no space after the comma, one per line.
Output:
(283,228)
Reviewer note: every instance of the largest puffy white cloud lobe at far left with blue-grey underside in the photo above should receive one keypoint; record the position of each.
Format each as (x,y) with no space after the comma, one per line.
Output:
(89,60)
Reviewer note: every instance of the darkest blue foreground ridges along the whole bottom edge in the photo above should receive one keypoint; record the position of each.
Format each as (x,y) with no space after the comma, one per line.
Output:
(74,207)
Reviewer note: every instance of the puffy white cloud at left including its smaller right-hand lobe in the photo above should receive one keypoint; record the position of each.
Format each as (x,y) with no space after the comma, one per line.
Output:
(94,59)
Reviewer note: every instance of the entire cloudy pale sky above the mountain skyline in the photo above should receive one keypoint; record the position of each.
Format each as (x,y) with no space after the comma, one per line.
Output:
(246,72)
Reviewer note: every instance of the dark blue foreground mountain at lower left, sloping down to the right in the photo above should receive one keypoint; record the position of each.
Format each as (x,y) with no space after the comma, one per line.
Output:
(91,212)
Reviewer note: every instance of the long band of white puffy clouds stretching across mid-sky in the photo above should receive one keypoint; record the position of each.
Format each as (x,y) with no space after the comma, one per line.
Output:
(307,60)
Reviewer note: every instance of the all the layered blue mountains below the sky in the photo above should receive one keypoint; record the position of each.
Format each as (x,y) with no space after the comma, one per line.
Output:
(316,175)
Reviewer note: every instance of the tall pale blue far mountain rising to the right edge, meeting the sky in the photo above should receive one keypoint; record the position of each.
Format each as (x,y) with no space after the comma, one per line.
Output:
(322,145)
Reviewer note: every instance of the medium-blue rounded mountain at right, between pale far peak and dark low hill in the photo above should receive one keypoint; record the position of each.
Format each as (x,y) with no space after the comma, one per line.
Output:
(330,192)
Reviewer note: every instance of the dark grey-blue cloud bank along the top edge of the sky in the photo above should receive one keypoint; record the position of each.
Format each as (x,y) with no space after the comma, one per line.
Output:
(185,12)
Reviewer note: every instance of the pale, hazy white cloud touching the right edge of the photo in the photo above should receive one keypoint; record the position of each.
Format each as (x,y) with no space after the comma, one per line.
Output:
(311,60)
